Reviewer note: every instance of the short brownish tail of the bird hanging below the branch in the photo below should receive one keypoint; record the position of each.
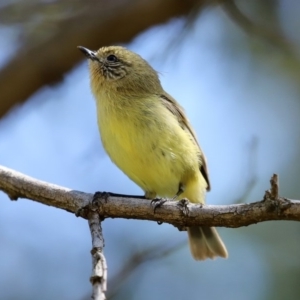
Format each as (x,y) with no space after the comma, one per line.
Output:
(205,242)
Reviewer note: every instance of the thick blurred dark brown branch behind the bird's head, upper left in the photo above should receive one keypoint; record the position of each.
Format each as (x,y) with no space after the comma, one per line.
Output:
(98,23)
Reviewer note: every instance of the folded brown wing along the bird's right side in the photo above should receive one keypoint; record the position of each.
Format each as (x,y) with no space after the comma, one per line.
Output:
(173,106)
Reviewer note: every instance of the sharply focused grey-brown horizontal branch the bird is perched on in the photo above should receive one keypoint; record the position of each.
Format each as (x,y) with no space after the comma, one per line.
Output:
(17,185)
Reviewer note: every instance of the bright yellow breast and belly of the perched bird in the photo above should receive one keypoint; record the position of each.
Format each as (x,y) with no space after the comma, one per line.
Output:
(147,143)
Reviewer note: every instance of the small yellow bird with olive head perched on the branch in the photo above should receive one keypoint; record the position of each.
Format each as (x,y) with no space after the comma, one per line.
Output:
(148,136)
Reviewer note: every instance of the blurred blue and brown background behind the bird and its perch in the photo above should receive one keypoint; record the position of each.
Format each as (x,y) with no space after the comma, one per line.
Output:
(233,65)
